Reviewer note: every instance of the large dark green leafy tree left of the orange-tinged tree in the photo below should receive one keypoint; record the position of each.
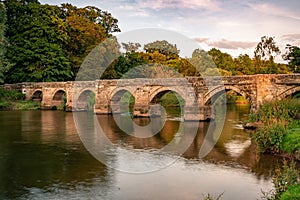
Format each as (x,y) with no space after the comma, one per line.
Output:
(37,44)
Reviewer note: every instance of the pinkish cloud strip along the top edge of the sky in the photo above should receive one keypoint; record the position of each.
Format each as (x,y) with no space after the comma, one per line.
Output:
(192,4)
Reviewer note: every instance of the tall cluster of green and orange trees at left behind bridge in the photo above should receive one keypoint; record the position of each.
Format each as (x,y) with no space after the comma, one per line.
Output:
(49,43)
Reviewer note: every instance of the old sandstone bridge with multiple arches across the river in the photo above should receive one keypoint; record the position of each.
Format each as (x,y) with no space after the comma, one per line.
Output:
(199,93)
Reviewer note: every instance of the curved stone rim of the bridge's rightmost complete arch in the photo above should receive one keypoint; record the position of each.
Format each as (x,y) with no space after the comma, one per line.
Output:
(210,97)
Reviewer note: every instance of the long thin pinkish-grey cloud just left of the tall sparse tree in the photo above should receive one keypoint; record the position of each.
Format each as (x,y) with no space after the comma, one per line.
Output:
(227,44)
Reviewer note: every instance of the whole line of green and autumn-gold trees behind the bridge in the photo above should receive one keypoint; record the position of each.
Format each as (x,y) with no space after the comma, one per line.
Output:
(49,43)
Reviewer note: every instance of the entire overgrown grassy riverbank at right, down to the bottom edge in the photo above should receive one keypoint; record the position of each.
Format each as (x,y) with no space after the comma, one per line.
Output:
(278,132)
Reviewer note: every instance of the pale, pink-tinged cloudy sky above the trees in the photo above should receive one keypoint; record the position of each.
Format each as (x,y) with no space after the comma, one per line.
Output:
(233,26)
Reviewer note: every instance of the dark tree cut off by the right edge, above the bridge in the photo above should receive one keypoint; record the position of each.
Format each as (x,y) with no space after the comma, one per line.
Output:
(293,57)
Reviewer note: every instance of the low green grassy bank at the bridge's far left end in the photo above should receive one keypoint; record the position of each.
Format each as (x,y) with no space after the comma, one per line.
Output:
(14,100)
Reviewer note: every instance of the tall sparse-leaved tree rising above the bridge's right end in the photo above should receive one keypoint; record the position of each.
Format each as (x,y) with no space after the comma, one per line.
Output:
(264,55)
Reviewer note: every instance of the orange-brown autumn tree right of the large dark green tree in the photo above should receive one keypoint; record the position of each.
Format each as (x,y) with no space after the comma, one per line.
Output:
(86,27)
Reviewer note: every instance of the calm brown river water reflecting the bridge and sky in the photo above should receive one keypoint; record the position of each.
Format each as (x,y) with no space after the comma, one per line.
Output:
(43,157)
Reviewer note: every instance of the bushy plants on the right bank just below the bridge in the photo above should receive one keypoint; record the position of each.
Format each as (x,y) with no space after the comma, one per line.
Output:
(277,118)
